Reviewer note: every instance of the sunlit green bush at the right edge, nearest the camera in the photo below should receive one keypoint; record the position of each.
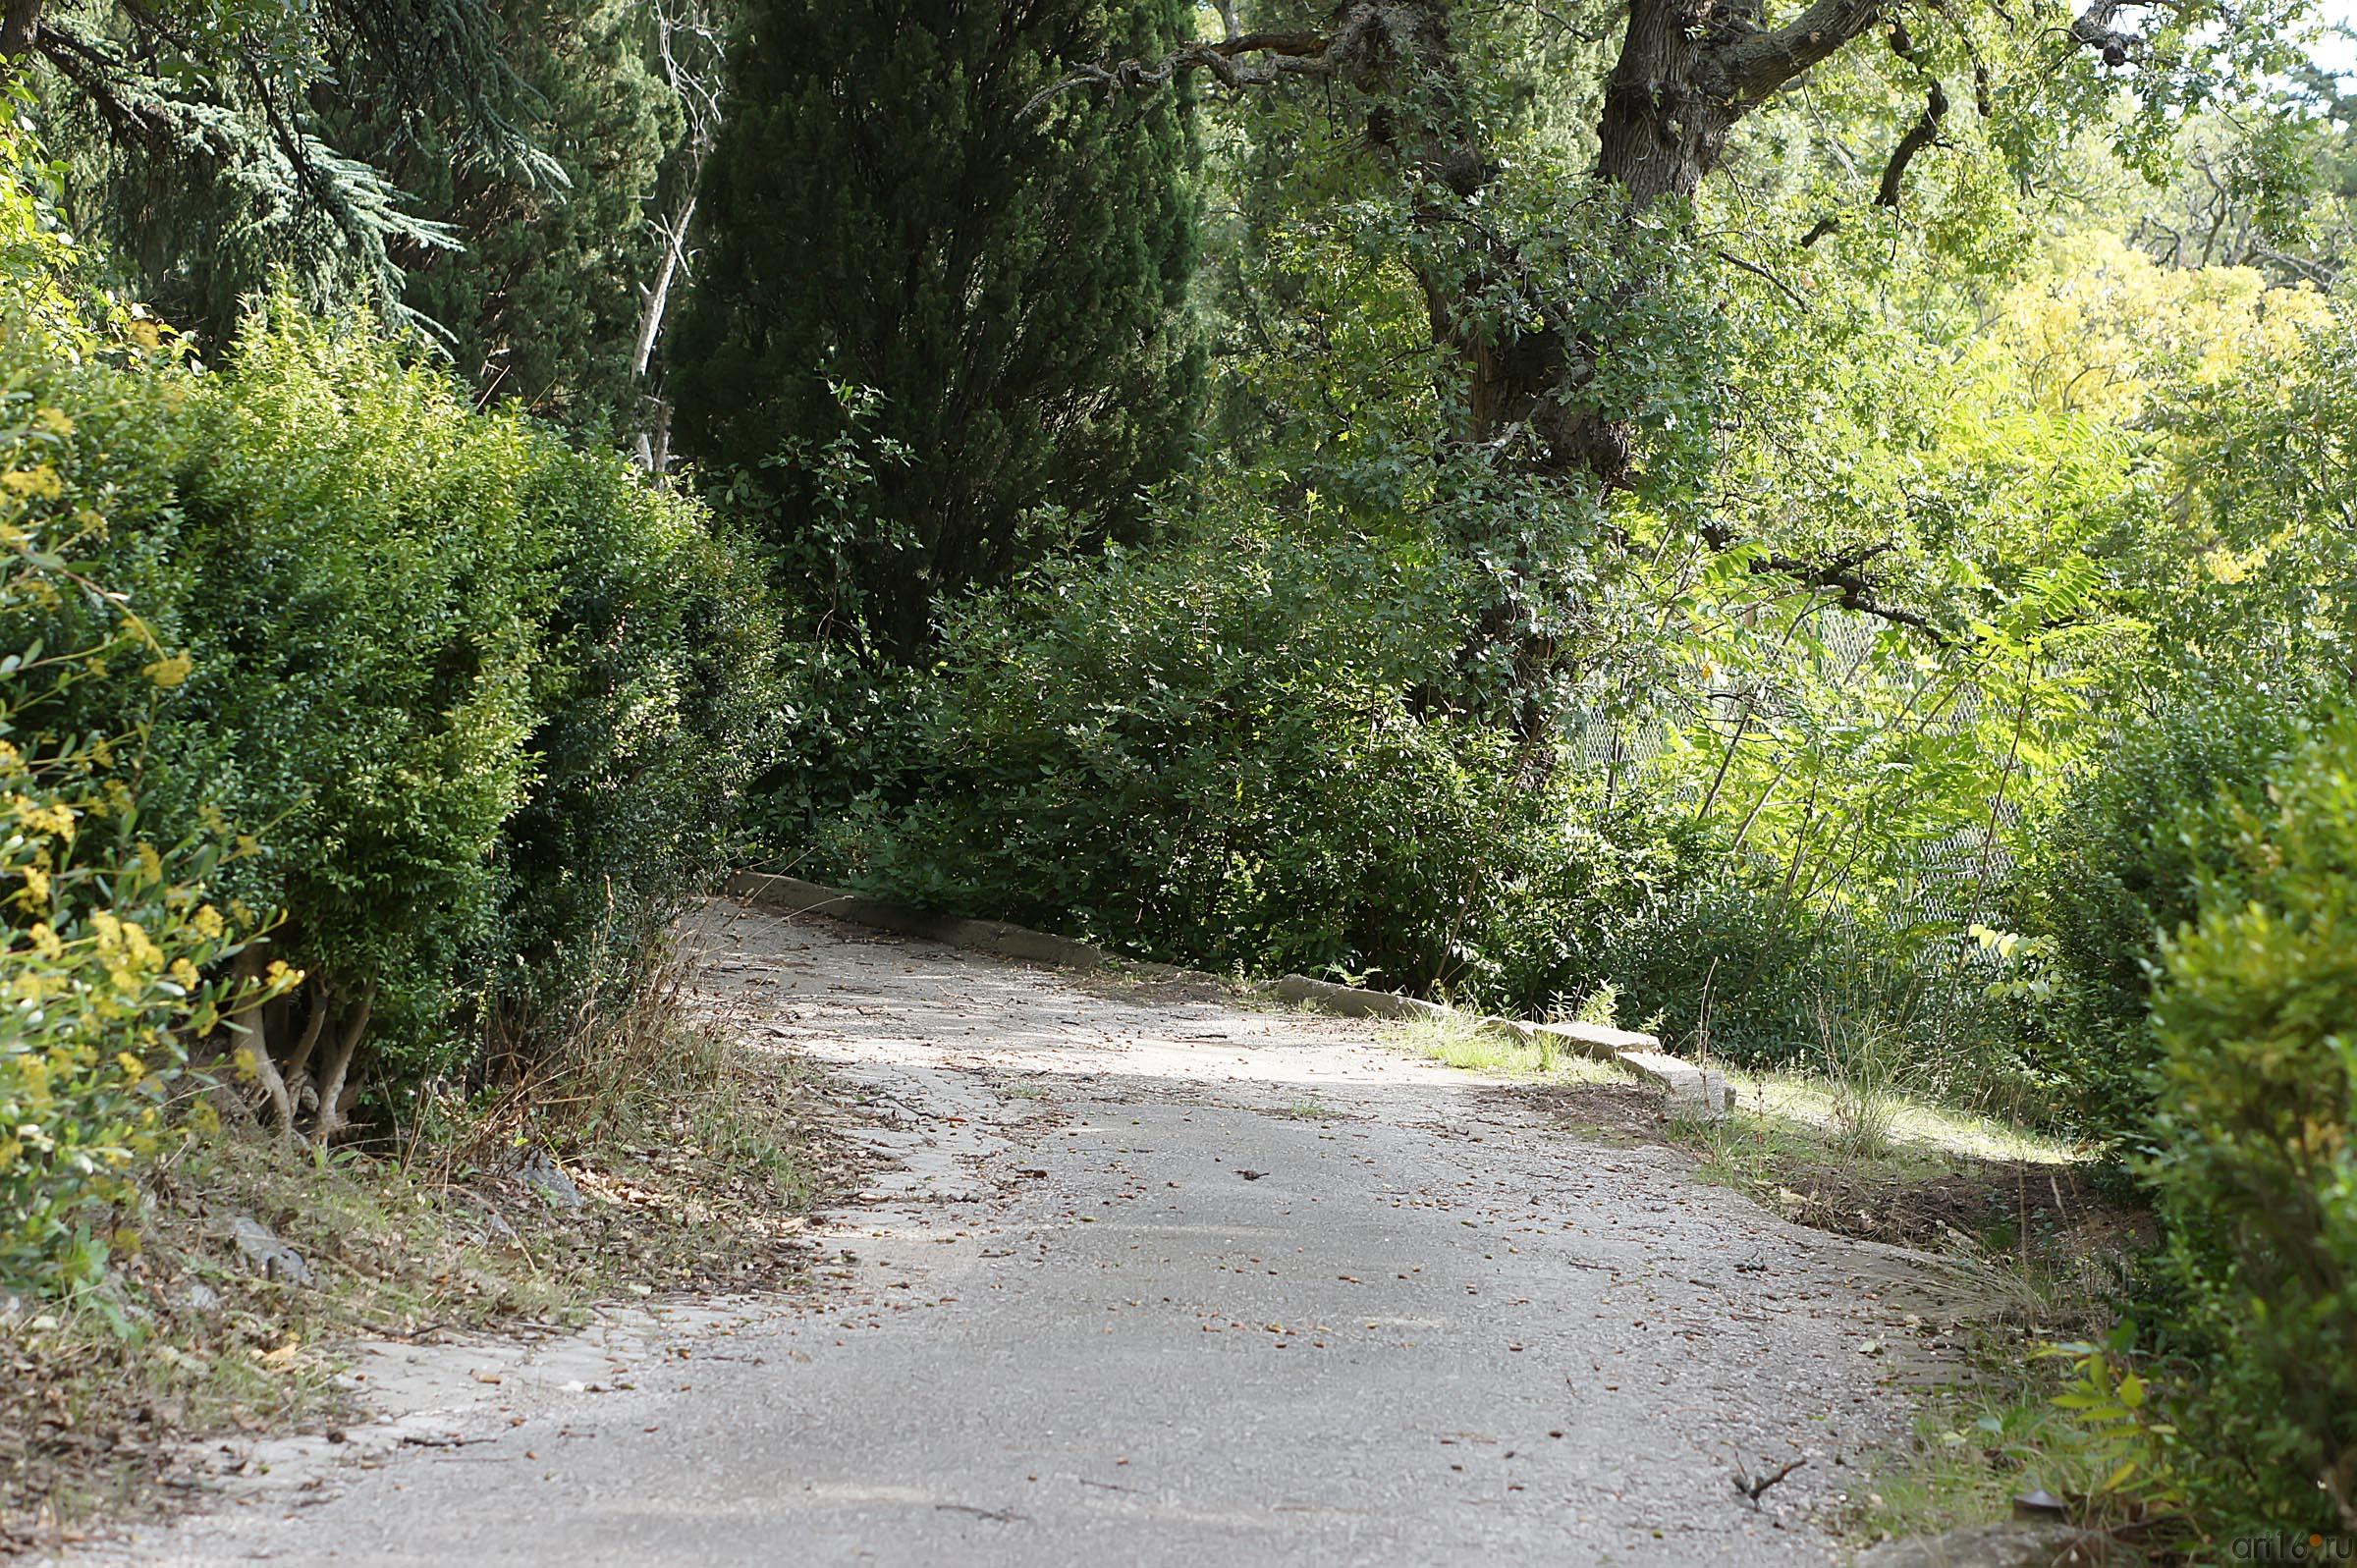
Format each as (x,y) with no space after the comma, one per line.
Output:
(2257,1147)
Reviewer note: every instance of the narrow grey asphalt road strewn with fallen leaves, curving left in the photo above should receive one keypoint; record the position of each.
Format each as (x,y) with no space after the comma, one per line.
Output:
(1156,1279)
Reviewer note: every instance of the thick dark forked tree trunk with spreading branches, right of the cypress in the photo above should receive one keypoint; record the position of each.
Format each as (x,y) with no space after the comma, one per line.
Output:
(1686,74)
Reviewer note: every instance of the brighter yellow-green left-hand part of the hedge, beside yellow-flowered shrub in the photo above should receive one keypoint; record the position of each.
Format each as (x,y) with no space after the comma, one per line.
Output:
(362,666)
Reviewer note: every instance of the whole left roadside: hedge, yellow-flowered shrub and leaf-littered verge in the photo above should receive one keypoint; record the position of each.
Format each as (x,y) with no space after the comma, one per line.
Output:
(357,746)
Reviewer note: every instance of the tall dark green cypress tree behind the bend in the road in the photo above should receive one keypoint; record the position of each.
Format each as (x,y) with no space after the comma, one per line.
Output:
(885,213)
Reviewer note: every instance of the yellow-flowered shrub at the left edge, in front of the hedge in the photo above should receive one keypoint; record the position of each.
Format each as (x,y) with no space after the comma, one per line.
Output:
(114,951)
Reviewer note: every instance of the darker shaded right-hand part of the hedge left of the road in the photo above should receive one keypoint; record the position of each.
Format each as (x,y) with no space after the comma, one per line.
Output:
(656,697)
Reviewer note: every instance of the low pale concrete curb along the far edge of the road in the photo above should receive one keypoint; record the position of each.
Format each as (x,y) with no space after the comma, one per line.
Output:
(1691,1093)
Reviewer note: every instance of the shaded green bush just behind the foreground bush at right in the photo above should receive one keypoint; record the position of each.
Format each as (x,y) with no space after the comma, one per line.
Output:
(2115,871)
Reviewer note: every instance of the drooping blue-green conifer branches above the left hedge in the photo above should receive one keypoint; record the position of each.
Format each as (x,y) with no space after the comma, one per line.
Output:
(202,157)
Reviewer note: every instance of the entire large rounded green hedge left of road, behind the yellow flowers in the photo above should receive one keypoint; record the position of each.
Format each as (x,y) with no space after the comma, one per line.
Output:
(491,697)
